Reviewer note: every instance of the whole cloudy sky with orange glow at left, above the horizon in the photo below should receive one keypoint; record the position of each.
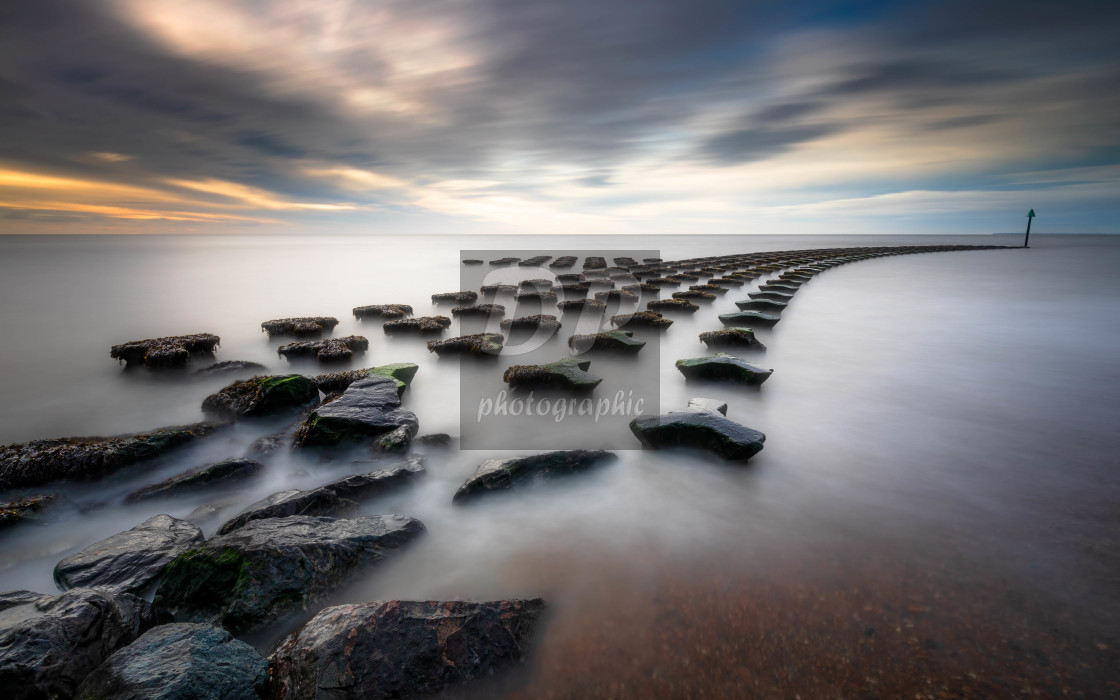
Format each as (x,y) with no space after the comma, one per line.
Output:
(558,117)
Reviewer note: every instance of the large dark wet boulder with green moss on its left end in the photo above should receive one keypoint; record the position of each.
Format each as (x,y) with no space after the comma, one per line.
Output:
(275,567)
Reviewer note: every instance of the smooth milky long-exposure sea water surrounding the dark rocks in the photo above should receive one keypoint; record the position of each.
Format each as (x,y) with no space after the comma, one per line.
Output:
(938,425)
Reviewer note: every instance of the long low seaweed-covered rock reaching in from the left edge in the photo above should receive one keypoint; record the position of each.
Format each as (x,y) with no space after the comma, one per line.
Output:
(40,462)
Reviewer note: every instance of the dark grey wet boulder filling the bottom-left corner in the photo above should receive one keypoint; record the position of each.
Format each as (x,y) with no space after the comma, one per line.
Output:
(48,647)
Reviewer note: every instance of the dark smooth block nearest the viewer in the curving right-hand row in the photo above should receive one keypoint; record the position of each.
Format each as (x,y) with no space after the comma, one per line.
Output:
(701,430)
